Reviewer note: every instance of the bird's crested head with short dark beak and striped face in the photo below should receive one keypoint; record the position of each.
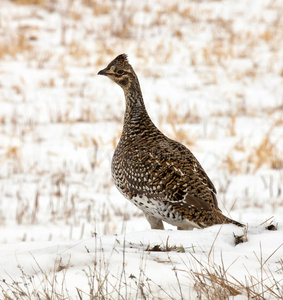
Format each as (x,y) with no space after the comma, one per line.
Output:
(120,71)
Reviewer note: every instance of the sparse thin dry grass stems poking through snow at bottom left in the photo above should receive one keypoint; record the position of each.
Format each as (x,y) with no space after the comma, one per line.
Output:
(102,283)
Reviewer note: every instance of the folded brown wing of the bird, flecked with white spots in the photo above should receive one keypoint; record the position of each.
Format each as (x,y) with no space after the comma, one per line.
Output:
(168,172)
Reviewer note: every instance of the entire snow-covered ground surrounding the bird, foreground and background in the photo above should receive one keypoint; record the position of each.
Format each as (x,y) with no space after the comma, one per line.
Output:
(212,77)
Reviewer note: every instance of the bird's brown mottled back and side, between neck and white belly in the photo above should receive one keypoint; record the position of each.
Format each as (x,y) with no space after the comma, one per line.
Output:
(147,162)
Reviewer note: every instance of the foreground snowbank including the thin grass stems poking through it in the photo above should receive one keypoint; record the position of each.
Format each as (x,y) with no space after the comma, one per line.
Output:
(131,270)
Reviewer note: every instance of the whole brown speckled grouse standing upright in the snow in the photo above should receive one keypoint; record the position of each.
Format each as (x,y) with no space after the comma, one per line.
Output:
(159,175)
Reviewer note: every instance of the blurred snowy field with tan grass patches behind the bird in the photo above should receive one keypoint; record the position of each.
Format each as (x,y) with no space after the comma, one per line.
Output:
(211,73)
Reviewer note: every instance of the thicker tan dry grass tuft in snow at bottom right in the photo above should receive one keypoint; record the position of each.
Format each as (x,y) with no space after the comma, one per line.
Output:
(213,281)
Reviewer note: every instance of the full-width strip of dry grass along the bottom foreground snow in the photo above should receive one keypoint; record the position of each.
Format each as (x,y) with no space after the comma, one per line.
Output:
(210,280)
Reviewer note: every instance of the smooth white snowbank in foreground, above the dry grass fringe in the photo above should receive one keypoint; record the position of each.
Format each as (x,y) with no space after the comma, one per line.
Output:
(128,253)
